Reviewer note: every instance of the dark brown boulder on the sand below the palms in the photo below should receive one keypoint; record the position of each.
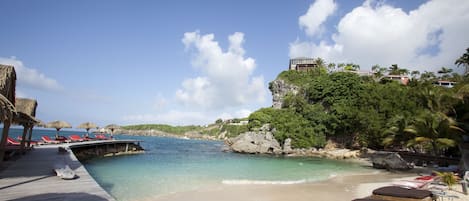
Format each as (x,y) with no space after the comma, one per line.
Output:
(389,161)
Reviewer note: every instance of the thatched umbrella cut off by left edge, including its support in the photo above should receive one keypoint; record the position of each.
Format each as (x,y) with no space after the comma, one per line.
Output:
(7,102)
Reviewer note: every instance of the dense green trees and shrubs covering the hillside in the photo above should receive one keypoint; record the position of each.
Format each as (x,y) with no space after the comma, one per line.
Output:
(361,111)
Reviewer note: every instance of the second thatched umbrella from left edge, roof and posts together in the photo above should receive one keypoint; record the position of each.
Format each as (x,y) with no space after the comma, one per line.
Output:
(26,109)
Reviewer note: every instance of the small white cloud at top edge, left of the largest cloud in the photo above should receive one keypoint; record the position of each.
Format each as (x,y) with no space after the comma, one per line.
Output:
(316,16)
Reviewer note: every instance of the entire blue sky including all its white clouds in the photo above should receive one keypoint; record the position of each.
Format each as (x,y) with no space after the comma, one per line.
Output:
(183,62)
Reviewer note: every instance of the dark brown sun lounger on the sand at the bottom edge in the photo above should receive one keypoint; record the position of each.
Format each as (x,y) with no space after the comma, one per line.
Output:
(396,193)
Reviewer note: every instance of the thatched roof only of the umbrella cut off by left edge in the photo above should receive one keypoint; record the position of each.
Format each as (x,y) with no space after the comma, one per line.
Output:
(8,82)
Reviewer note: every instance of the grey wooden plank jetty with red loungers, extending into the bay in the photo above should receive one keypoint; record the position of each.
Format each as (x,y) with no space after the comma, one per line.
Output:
(32,176)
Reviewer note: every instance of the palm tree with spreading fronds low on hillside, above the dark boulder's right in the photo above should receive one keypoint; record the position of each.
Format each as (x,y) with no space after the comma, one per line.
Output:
(435,130)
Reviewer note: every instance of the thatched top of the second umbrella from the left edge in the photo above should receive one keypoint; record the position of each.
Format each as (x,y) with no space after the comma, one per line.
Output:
(26,109)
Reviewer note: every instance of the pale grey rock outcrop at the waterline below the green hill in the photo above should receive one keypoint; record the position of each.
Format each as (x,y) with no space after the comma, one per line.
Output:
(260,142)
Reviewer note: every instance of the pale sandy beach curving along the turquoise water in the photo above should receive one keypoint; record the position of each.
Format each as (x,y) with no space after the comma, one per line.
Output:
(340,188)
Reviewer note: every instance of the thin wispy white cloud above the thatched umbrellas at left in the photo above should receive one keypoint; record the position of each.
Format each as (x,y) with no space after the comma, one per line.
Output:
(30,77)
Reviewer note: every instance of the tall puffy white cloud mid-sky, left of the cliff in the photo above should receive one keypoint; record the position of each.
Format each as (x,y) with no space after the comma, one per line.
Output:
(225,77)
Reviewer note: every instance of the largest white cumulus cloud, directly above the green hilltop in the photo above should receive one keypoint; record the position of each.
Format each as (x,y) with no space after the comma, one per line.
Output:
(427,38)
